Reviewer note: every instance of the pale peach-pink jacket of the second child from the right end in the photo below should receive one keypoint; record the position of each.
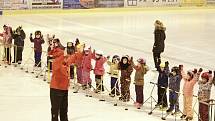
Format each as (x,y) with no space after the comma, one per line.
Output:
(189,85)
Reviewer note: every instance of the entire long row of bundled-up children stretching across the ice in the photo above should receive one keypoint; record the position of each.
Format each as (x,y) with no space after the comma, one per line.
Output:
(120,72)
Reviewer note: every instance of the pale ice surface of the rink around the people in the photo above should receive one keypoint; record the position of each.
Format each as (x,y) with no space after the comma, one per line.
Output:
(190,41)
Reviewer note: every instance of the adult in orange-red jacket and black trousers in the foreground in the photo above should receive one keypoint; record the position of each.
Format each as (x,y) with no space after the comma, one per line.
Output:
(60,82)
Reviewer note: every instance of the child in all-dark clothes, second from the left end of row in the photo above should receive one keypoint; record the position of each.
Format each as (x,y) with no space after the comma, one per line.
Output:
(18,36)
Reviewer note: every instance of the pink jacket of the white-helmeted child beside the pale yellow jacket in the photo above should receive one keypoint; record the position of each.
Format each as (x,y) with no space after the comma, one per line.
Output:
(99,65)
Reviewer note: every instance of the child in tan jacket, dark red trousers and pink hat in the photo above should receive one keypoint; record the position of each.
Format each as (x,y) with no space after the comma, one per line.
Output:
(141,69)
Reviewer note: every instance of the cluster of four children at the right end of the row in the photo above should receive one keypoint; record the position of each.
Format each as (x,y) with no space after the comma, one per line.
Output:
(170,81)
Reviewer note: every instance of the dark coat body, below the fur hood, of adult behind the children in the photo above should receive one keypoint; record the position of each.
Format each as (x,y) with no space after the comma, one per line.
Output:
(159,37)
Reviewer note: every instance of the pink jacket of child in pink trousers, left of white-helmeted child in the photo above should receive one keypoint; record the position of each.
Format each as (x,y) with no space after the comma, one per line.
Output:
(86,62)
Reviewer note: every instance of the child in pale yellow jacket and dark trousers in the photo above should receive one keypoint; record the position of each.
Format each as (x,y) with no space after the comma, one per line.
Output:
(114,72)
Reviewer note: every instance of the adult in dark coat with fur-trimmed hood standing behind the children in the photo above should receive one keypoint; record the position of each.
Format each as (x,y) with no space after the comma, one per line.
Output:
(158,47)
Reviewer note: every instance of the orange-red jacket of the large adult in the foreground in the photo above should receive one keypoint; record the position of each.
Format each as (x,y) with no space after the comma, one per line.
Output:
(60,66)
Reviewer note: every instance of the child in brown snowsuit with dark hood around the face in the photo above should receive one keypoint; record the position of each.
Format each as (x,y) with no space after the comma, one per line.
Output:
(125,79)
